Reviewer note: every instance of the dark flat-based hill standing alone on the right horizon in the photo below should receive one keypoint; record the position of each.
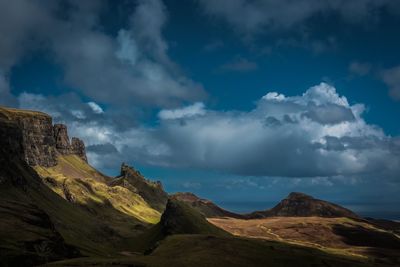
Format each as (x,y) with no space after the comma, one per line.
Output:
(302,205)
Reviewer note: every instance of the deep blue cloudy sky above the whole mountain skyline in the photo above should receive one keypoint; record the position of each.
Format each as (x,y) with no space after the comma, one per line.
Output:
(239,101)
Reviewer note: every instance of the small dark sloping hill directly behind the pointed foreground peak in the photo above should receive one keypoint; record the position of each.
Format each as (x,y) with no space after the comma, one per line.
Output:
(204,206)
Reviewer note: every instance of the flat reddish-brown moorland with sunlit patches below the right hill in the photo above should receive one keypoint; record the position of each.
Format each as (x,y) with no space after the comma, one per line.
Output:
(341,236)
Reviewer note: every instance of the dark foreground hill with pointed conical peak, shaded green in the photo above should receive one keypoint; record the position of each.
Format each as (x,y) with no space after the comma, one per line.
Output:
(185,238)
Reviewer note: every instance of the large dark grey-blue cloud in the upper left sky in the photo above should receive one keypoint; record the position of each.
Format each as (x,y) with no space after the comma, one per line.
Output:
(131,67)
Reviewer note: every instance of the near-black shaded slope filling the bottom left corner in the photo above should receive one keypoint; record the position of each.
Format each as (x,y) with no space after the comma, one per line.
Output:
(27,234)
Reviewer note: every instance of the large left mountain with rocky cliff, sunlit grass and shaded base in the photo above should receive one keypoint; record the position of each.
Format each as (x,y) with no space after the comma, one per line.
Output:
(53,204)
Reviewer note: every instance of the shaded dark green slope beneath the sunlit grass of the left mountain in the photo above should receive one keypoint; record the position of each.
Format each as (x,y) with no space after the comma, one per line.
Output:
(22,193)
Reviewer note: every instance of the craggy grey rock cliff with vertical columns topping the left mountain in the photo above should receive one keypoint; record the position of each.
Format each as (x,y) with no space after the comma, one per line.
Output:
(32,136)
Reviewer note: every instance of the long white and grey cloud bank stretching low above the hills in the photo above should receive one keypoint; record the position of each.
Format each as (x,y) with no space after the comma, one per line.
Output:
(316,134)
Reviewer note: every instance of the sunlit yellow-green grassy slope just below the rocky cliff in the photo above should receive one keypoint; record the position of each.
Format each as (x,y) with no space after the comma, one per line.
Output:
(79,183)
